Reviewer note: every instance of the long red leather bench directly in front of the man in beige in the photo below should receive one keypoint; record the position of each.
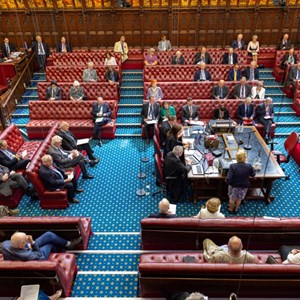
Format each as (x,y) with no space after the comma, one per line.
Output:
(188,233)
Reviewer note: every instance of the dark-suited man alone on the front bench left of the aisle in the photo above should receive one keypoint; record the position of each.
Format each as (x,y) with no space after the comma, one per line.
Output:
(101,113)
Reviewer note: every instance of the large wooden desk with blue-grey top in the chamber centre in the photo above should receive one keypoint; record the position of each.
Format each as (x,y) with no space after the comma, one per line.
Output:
(214,185)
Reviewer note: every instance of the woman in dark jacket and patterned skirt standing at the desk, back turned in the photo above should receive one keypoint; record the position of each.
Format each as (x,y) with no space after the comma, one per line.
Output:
(238,181)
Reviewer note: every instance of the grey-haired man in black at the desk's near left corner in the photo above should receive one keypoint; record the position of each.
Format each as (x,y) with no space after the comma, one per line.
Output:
(175,174)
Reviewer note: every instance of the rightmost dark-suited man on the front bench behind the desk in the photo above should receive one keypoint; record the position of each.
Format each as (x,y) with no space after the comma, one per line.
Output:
(265,116)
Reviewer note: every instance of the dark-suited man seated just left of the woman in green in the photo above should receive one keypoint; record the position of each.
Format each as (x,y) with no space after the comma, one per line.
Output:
(150,113)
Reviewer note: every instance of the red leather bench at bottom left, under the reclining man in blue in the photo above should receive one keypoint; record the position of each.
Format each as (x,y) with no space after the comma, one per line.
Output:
(58,272)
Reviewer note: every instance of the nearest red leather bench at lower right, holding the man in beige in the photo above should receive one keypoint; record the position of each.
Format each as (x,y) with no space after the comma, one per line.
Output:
(166,272)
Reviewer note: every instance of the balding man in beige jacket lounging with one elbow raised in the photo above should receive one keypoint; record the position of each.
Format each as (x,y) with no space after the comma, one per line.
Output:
(232,253)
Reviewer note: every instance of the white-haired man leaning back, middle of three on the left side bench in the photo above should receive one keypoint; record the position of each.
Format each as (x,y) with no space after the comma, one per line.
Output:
(67,159)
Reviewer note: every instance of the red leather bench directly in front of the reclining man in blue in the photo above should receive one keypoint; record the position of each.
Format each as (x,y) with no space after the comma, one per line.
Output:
(66,227)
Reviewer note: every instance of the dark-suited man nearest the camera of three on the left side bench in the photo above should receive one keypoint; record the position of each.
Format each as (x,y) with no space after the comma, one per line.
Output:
(55,179)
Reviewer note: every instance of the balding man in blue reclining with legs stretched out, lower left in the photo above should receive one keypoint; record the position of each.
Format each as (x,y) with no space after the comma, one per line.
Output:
(22,246)
